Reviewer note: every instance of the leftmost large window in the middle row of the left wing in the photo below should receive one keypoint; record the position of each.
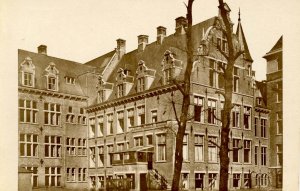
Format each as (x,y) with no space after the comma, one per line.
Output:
(29,145)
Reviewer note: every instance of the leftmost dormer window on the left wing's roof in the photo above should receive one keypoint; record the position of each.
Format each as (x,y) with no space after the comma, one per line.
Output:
(27,72)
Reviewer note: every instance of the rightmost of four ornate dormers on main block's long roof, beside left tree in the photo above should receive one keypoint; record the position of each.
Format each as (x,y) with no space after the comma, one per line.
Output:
(171,67)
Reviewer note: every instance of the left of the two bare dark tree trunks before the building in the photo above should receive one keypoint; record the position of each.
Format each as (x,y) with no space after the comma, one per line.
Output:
(185,101)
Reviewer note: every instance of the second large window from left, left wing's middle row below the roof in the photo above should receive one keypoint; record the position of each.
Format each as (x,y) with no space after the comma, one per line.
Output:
(53,146)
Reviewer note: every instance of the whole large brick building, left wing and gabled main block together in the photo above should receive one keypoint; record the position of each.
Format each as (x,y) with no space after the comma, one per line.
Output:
(82,125)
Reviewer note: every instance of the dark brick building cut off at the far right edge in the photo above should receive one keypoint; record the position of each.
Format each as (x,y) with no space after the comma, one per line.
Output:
(274,103)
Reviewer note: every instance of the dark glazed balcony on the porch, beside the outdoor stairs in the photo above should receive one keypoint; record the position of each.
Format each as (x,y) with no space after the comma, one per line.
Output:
(136,155)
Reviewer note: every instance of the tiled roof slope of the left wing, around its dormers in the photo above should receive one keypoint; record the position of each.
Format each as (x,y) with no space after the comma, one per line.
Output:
(65,68)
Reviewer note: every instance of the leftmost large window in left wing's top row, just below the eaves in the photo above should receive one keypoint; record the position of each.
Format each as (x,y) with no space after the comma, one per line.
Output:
(28,111)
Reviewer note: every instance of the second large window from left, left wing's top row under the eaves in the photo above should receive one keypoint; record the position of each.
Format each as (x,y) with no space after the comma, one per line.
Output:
(52,113)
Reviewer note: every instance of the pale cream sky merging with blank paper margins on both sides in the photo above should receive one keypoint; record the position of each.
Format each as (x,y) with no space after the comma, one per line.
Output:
(82,30)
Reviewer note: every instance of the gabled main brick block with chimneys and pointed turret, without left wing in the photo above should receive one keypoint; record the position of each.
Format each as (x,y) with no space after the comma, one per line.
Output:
(132,122)
